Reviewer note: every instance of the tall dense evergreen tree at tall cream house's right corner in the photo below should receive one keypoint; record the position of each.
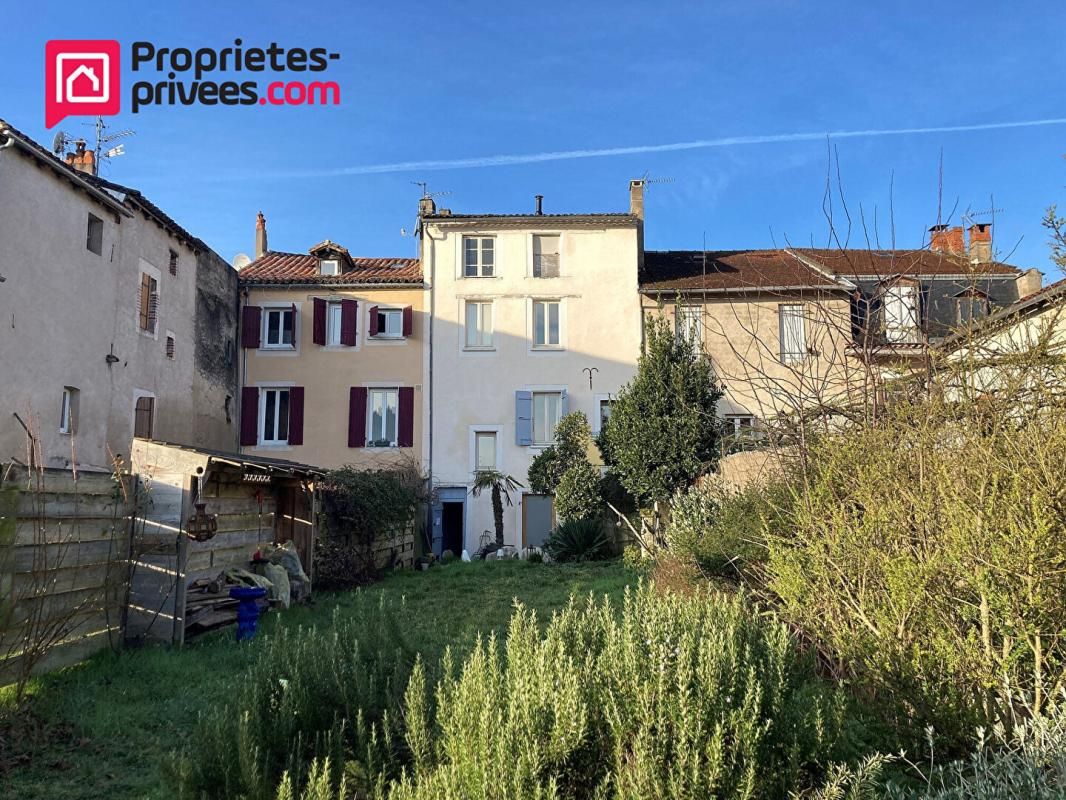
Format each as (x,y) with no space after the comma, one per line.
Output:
(664,433)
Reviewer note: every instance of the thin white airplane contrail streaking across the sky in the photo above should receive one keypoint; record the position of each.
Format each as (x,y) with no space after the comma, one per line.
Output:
(530,158)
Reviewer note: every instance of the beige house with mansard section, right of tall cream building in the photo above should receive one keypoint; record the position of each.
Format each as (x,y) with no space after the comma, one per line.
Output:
(793,329)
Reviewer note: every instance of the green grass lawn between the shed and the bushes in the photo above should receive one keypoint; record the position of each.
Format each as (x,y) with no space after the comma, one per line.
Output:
(108,727)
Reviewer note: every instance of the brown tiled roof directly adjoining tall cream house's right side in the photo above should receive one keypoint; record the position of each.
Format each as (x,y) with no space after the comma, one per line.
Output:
(731,270)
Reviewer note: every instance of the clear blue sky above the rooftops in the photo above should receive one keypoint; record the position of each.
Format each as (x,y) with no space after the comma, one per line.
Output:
(441,83)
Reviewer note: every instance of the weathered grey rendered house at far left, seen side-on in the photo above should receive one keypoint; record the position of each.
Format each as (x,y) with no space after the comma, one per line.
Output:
(118,322)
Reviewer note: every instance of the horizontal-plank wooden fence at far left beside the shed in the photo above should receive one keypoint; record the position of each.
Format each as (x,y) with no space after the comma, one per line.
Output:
(64,551)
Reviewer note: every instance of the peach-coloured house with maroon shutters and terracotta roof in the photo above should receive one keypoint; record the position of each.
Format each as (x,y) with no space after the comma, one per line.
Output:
(332,350)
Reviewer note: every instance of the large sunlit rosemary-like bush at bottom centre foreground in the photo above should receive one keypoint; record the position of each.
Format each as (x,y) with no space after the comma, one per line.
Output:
(669,697)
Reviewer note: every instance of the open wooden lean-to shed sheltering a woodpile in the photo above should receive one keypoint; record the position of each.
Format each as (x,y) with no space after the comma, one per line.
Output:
(253,502)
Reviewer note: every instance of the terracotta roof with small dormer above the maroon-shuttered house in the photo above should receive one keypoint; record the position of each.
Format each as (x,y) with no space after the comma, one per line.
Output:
(303,268)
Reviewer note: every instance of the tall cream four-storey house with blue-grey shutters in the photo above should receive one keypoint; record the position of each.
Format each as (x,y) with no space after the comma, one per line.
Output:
(531,316)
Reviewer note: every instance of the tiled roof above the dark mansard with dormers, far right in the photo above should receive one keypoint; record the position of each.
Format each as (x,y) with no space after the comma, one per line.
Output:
(889,263)
